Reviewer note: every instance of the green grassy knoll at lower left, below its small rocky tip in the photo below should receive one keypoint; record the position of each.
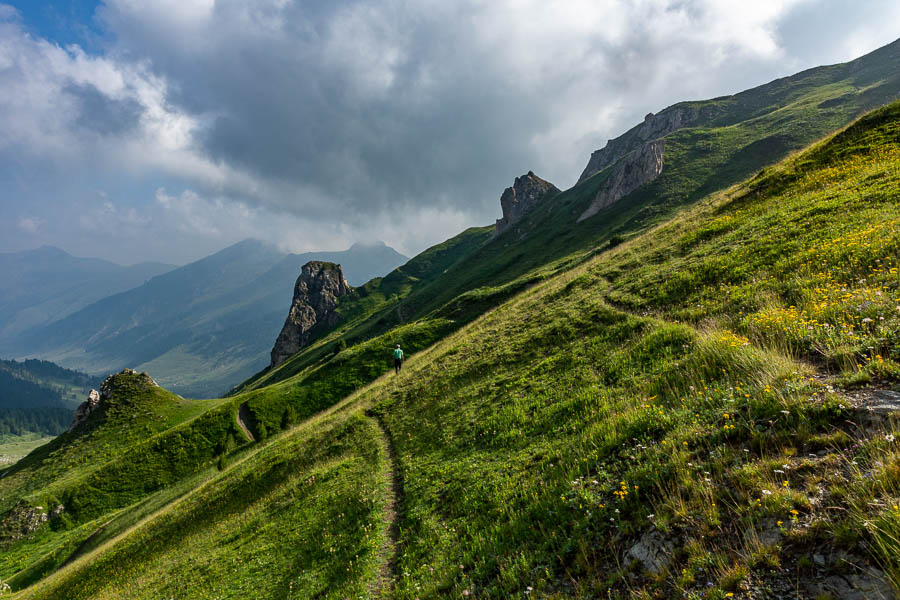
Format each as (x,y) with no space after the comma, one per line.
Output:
(146,440)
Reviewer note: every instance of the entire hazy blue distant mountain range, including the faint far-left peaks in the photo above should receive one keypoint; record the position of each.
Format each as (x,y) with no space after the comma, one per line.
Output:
(199,329)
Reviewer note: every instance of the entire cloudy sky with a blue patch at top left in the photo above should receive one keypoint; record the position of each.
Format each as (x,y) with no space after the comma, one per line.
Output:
(165,130)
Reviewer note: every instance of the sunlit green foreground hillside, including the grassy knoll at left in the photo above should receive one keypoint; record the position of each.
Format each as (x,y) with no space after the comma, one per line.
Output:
(699,393)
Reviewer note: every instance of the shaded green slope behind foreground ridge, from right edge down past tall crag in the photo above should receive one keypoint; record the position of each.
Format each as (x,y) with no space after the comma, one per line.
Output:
(739,135)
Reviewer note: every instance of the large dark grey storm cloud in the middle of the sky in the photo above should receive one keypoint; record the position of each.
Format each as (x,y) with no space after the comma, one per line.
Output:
(371,107)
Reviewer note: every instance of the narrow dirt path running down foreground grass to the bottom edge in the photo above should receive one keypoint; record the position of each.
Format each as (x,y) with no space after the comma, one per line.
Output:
(383,584)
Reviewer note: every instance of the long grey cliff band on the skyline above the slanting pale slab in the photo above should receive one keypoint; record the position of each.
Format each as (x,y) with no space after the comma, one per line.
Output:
(653,128)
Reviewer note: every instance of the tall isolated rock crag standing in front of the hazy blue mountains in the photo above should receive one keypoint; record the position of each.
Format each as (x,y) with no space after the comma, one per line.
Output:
(316,296)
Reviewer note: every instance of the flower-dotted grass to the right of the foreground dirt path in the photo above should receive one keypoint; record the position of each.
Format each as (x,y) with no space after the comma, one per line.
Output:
(537,442)
